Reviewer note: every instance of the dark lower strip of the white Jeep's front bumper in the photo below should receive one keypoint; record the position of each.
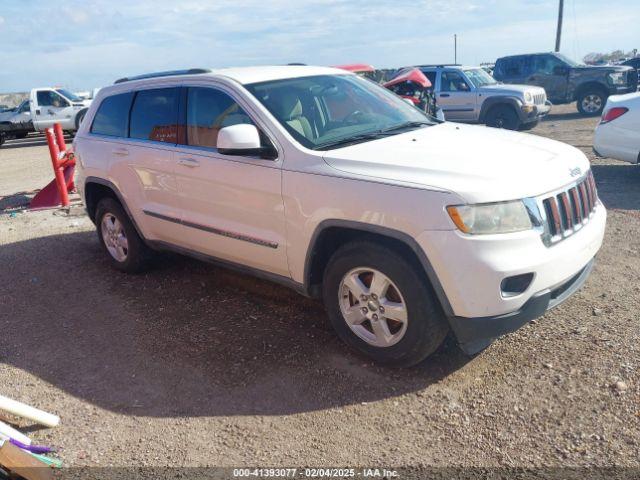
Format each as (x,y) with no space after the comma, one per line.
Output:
(475,334)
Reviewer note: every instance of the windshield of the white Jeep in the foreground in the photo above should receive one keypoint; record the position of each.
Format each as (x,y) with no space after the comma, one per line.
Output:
(327,111)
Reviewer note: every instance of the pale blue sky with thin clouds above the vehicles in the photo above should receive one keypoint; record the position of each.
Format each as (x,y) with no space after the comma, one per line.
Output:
(90,43)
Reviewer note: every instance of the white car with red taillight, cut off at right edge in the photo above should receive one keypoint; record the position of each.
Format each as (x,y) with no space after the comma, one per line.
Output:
(618,134)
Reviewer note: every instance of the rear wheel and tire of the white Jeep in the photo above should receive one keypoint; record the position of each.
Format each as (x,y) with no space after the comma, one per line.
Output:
(125,249)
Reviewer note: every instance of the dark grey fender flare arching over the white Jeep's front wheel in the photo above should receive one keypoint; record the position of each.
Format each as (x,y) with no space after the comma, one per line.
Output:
(403,237)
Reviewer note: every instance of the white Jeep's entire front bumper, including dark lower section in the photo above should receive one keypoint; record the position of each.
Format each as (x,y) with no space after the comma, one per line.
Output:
(470,270)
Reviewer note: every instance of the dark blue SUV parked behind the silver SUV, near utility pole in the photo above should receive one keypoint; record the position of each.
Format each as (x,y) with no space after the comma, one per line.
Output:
(566,81)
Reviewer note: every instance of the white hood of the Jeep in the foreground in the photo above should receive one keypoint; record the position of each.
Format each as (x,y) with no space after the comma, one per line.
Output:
(481,164)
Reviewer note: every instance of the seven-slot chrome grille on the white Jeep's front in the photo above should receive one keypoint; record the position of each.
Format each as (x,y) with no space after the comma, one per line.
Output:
(569,209)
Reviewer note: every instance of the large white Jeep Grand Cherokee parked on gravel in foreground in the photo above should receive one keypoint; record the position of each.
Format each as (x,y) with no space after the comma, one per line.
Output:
(320,180)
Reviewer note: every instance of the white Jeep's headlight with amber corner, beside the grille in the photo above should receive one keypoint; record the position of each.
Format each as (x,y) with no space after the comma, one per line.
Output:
(490,218)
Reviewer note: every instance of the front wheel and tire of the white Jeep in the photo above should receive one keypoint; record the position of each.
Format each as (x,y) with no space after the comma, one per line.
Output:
(384,337)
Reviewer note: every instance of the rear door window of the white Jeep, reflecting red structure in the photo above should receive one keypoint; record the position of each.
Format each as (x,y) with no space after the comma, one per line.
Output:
(154,115)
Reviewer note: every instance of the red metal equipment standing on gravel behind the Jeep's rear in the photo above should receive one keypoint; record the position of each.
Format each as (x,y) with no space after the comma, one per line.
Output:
(57,191)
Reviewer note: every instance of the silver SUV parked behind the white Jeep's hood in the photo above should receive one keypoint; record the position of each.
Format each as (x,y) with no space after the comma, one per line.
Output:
(471,95)
